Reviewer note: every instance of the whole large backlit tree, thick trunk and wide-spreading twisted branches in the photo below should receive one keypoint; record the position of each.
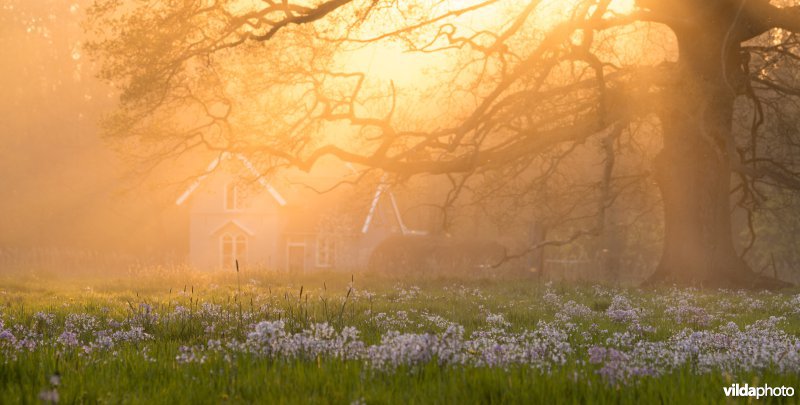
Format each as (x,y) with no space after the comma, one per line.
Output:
(540,80)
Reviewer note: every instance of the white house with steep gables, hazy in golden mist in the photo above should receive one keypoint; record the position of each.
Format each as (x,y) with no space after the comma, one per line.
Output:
(236,215)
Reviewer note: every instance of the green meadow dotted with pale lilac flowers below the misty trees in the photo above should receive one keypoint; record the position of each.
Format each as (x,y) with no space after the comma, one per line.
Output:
(337,339)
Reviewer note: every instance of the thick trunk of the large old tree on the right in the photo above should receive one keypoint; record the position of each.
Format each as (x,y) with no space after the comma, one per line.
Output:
(693,171)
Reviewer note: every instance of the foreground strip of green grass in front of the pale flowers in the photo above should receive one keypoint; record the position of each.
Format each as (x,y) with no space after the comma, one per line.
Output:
(131,380)
